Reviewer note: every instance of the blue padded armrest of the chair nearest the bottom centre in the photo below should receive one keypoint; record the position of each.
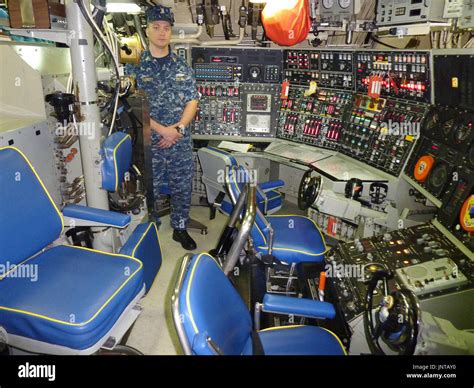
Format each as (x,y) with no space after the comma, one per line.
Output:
(297,306)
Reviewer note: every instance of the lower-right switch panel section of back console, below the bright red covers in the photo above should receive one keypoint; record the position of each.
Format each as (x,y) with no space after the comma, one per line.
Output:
(381,132)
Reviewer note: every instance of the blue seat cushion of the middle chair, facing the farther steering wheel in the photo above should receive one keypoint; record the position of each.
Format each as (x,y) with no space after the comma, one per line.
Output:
(296,239)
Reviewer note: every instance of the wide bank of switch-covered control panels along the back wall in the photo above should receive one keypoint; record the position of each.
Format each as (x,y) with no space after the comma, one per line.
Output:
(320,93)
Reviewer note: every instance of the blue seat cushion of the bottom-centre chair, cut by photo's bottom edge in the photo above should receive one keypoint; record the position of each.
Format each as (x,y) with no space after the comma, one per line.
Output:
(300,340)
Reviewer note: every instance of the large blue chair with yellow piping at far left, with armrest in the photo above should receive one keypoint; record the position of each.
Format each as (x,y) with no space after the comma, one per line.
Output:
(81,299)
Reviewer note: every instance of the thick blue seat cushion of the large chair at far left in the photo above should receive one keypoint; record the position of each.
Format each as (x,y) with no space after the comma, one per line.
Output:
(75,299)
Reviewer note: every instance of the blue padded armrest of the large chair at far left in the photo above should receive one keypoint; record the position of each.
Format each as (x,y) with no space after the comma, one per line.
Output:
(96,216)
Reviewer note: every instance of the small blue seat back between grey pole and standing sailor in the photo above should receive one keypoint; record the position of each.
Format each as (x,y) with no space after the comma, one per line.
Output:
(117,149)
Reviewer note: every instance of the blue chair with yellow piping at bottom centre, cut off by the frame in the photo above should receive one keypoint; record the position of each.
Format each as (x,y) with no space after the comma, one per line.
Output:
(211,318)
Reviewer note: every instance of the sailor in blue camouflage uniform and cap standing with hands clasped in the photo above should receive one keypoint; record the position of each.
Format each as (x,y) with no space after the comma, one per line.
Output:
(171,89)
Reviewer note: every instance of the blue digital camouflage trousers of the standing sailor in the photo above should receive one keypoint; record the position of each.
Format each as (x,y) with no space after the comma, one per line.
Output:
(173,169)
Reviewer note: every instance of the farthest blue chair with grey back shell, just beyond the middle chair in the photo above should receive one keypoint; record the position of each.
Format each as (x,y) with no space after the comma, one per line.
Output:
(214,162)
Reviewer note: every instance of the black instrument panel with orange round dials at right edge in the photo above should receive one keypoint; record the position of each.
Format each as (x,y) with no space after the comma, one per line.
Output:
(443,165)
